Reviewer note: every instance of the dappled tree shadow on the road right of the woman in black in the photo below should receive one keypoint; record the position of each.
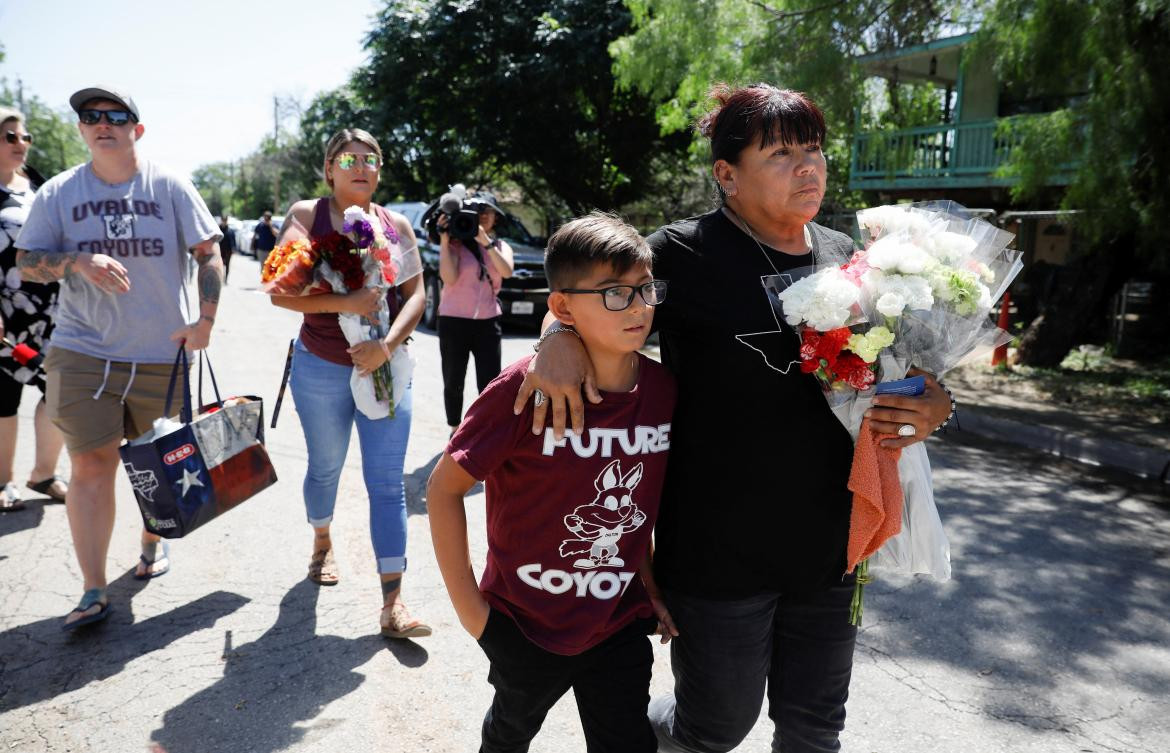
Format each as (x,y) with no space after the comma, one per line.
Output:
(1058,577)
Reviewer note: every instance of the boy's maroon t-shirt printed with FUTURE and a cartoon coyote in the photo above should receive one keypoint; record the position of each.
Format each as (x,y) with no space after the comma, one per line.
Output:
(569,522)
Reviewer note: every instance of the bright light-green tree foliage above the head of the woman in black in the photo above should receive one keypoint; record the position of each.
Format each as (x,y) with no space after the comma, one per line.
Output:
(678,50)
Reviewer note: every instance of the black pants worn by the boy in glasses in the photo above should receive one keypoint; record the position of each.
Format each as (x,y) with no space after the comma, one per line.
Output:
(611,682)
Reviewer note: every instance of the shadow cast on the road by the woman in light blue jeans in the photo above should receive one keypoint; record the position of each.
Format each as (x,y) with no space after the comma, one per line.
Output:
(285,678)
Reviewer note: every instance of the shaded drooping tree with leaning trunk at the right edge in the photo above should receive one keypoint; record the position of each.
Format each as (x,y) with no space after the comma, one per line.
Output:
(1106,63)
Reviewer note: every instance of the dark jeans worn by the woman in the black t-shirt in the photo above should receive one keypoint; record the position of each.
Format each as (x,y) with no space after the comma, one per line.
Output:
(801,647)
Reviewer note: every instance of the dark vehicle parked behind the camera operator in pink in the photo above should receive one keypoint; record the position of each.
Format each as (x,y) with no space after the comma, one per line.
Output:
(524,298)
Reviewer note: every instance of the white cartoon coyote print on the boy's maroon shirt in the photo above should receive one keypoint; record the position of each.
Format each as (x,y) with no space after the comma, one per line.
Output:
(600,524)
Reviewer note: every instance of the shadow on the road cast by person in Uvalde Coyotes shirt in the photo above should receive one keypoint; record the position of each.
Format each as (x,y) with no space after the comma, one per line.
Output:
(38,661)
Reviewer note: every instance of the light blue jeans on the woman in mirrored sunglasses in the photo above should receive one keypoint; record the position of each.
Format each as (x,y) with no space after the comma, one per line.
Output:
(321,391)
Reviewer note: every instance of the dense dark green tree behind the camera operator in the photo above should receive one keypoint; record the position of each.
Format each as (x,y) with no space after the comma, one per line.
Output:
(519,91)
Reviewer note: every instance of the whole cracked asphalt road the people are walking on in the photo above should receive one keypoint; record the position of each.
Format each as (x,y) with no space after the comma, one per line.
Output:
(1054,635)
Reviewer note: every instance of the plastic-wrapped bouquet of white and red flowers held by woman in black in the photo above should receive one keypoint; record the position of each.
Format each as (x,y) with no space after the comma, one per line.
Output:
(919,294)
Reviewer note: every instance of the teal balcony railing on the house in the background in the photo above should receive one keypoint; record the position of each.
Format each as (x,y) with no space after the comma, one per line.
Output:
(947,155)
